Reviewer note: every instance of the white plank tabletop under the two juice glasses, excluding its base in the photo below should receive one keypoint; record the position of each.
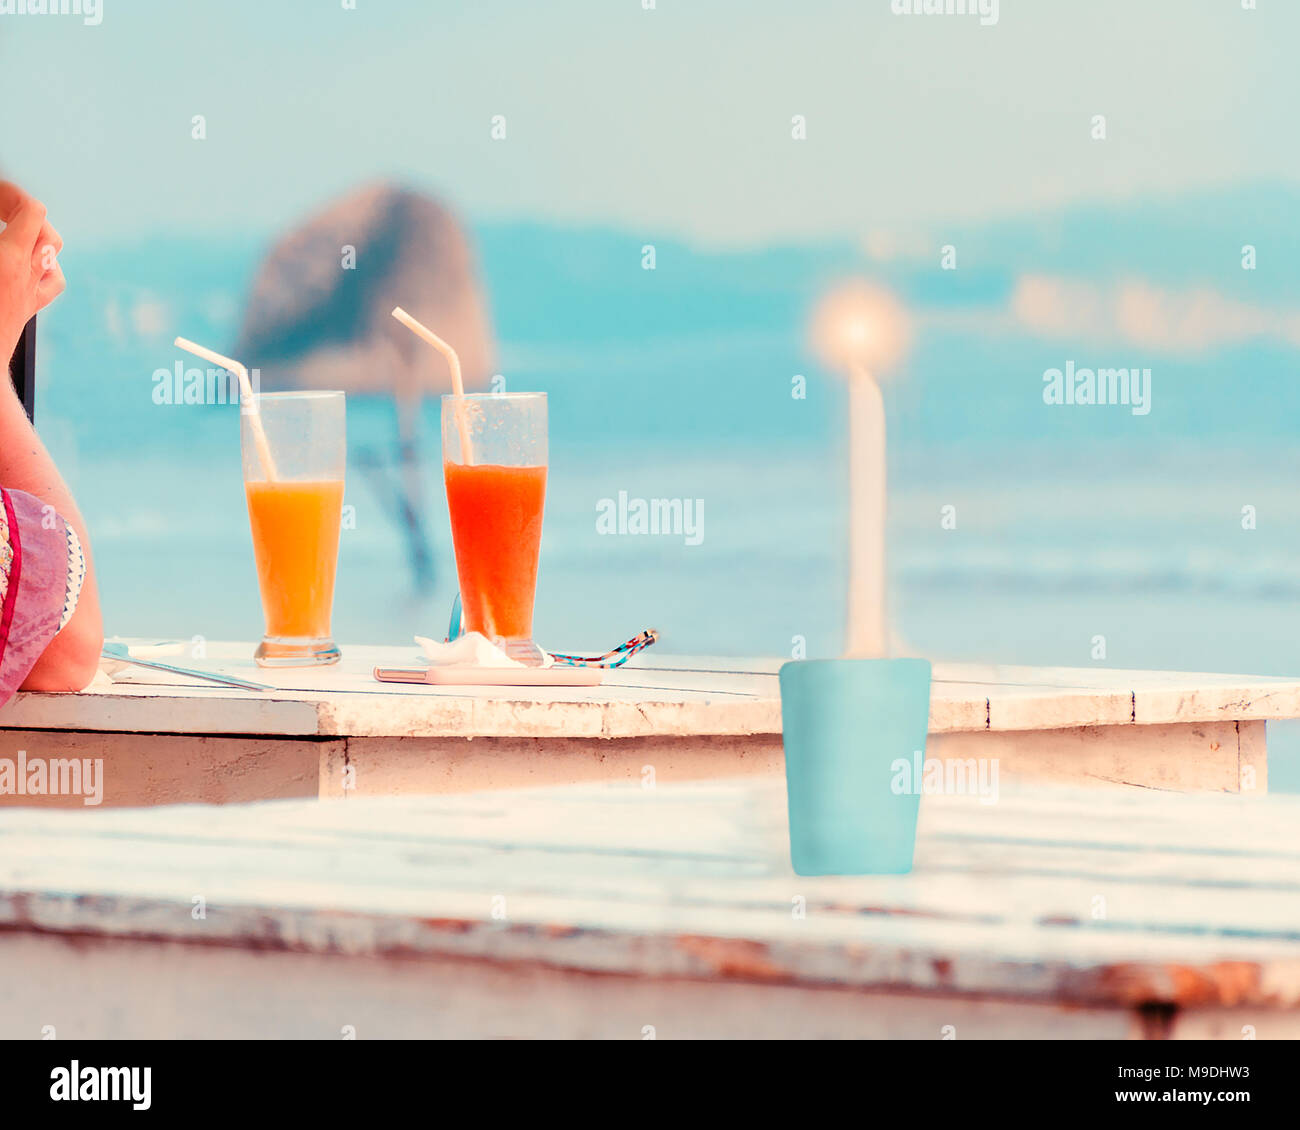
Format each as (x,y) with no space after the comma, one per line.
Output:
(653,696)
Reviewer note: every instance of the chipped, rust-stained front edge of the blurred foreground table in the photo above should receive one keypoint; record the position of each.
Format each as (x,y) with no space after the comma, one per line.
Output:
(1098,969)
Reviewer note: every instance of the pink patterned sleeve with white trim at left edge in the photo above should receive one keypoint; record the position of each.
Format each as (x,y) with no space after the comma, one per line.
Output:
(42,572)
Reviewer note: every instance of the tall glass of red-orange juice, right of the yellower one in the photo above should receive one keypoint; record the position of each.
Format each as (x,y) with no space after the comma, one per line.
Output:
(495,464)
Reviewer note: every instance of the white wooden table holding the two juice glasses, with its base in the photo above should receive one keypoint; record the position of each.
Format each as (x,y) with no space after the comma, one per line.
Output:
(336,733)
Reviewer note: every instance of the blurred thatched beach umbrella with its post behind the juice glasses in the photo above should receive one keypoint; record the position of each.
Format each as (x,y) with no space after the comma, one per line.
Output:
(319,318)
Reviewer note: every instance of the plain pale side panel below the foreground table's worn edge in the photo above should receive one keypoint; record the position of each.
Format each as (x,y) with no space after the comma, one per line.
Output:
(92,992)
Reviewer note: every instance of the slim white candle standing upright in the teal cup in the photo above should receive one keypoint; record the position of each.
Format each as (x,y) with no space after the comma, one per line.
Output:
(866,620)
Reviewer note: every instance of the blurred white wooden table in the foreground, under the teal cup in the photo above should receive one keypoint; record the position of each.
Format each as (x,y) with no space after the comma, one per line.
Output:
(622,912)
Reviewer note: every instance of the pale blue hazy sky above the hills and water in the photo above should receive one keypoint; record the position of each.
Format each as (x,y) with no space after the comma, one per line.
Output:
(675,120)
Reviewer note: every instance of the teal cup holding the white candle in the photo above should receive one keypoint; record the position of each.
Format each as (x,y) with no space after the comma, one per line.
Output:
(847,724)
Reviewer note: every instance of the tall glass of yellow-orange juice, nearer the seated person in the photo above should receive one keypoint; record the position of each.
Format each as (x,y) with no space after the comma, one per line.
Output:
(294,509)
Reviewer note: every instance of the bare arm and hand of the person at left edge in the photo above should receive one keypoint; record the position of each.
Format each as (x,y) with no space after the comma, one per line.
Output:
(31,280)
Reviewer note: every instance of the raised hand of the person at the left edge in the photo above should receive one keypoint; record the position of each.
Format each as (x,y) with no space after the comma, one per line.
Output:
(31,278)
